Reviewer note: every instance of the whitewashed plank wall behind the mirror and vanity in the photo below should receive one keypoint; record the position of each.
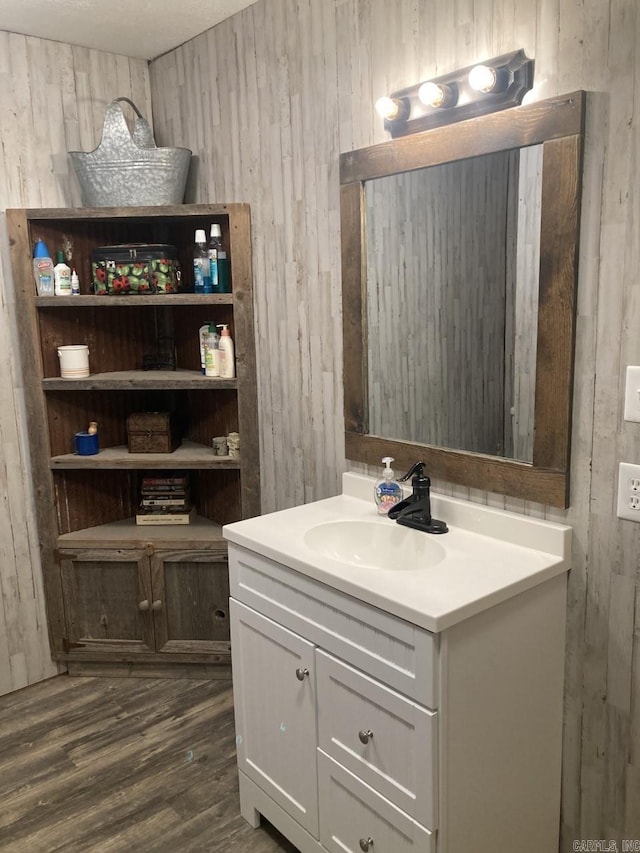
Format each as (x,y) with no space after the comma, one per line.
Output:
(268,100)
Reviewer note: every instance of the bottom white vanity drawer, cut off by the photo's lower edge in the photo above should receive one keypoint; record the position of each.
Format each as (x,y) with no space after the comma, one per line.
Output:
(353,817)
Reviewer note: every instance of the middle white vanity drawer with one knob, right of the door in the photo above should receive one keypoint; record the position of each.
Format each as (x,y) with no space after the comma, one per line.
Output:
(389,741)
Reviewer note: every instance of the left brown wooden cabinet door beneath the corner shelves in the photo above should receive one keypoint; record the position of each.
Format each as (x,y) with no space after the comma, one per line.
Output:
(107,597)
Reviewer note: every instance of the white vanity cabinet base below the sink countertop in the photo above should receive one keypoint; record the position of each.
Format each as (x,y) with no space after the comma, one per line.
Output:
(360,731)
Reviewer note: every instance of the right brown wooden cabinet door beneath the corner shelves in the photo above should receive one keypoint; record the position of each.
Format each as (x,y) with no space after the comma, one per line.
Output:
(190,601)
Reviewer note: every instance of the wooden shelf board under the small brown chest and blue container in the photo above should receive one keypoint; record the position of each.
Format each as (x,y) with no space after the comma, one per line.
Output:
(188,455)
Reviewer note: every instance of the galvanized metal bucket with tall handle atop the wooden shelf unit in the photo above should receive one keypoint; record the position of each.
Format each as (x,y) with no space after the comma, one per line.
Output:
(128,169)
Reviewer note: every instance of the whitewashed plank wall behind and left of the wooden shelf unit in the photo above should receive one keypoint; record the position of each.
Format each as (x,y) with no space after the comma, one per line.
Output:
(52,100)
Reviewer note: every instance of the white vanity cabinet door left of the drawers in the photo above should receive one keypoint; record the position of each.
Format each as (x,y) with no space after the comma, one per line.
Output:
(274,696)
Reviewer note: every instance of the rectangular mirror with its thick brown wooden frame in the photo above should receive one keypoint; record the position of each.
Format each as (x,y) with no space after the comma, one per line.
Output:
(459,273)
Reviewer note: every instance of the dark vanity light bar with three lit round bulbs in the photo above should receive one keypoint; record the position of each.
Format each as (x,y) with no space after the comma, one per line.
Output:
(495,84)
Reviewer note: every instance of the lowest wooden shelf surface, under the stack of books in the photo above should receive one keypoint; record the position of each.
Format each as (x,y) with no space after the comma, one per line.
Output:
(201,533)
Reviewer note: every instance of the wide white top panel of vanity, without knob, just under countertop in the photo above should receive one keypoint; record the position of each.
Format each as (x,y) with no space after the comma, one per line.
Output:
(394,651)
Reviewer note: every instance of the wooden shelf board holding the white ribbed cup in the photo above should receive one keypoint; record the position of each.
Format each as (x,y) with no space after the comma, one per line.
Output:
(134,380)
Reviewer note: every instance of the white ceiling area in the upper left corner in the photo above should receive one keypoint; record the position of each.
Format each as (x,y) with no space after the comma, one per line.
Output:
(143,29)
